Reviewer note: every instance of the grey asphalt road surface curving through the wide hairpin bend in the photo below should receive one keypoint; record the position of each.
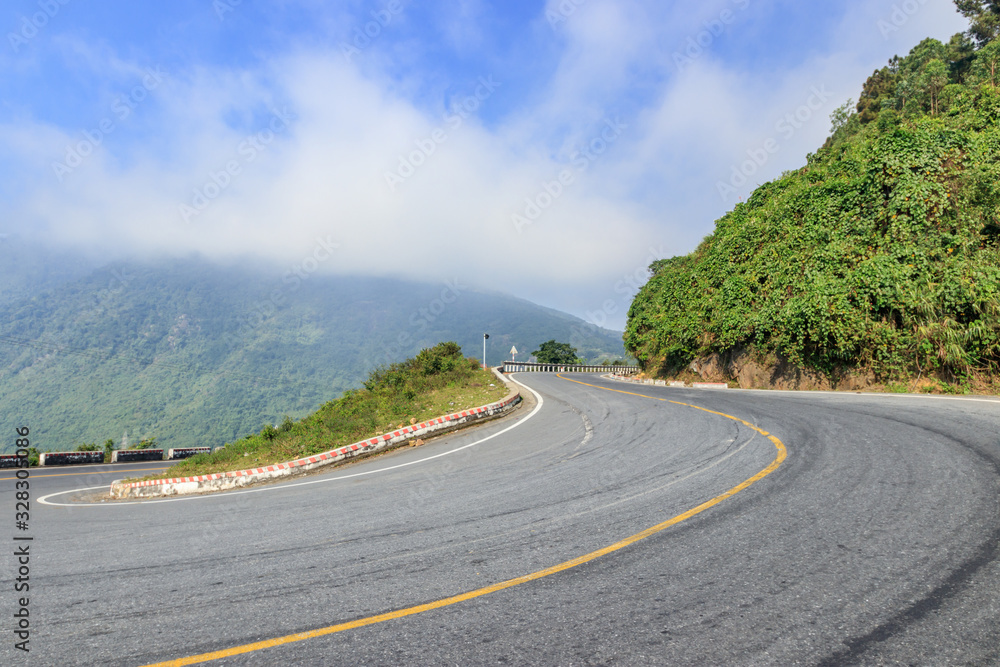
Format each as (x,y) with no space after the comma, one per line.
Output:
(875,542)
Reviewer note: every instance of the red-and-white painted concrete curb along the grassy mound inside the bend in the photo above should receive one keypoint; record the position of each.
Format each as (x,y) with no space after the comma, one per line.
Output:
(225,481)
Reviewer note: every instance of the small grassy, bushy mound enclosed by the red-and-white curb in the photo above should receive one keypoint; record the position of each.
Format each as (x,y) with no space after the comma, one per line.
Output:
(434,382)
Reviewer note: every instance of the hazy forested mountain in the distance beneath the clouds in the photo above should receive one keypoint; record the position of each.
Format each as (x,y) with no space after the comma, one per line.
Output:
(196,354)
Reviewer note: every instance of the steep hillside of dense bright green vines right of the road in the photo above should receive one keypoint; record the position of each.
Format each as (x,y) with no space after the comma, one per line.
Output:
(882,254)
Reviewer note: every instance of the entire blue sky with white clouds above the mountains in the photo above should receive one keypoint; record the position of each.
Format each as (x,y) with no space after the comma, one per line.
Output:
(547,149)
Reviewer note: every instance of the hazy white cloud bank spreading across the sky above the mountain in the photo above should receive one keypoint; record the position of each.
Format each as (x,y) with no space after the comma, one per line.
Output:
(548,203)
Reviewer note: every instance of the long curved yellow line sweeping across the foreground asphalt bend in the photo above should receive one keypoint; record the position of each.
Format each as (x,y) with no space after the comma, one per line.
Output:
(455,599)
